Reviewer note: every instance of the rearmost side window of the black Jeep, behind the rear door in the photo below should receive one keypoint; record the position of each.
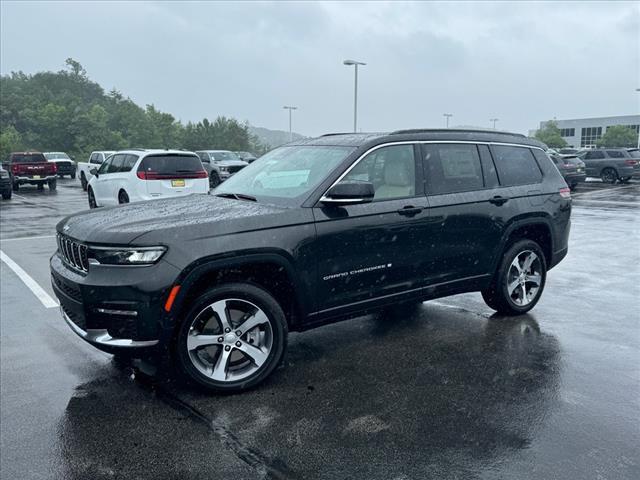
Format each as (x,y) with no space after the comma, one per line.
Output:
(516,165)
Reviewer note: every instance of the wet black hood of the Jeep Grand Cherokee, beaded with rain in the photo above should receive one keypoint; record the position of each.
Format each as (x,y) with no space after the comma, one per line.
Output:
(190,217)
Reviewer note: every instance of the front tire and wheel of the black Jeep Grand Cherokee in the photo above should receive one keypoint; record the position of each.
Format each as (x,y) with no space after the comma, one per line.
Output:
(265,342)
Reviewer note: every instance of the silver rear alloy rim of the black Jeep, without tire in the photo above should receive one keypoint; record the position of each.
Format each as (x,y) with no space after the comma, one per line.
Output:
(524,278)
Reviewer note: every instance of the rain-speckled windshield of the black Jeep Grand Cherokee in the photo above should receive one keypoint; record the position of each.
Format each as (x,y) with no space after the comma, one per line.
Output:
(287,174)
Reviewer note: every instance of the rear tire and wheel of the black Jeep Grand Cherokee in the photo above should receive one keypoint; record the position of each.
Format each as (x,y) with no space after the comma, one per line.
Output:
(508,299)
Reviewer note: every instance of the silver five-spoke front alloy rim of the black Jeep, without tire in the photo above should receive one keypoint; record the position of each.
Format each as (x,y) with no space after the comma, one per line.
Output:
(229,340)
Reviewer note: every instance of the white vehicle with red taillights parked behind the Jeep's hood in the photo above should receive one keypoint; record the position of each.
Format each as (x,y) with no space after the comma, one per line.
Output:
(137,175)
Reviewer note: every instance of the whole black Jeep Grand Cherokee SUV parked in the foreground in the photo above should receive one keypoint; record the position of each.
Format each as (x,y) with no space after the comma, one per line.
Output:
(313,232)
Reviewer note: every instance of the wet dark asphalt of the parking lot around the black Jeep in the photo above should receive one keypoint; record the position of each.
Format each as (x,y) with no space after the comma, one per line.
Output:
(443,390)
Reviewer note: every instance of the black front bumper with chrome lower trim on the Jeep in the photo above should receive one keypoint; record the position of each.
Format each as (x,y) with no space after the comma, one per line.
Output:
(115,309)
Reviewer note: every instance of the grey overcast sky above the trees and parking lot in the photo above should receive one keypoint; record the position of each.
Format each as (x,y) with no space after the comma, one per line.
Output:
(520,62)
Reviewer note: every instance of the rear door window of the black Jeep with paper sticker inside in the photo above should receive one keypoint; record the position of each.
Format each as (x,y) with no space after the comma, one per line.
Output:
(452,168)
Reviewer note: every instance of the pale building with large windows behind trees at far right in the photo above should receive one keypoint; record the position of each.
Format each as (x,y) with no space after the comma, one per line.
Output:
(585,132)
